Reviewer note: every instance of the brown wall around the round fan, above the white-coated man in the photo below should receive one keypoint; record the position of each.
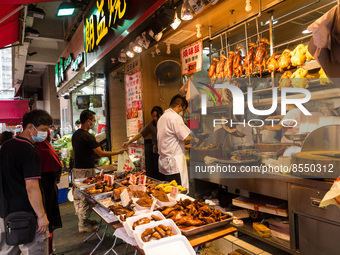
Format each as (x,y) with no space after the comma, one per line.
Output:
(152,93)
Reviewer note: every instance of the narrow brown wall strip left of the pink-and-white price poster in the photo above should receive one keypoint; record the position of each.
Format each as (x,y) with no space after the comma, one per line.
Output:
(117,111)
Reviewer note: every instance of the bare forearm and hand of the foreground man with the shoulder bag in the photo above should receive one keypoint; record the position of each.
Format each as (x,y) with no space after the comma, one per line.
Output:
(34,196)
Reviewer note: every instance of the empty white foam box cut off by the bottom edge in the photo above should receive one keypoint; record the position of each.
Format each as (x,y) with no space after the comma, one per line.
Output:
(178,245)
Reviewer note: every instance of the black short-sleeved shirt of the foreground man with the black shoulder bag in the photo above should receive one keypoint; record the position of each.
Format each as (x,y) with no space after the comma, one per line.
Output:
(20,161)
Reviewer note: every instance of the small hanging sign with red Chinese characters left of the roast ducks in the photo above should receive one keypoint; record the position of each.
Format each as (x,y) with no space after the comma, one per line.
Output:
(191,58)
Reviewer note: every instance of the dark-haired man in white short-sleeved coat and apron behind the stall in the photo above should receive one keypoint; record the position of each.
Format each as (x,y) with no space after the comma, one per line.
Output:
(172,134)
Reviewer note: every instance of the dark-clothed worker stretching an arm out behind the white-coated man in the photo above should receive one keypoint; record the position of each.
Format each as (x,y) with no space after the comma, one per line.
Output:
(150,128)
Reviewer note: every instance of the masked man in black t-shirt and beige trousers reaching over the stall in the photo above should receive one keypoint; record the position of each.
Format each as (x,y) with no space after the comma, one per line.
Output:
(86,149)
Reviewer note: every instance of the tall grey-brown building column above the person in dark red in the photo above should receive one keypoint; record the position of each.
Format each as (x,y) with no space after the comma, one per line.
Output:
(51,102)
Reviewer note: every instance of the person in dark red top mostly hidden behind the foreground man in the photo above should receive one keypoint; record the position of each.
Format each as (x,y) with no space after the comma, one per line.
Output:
(50,176)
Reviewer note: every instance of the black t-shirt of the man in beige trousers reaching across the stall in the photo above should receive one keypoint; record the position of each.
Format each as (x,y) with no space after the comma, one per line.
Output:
(83,144)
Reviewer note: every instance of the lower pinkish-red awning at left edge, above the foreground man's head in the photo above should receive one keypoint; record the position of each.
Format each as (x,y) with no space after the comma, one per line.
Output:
(11,111)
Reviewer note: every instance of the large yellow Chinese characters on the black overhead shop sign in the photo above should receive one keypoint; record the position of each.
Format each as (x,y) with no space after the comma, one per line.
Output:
(105,17)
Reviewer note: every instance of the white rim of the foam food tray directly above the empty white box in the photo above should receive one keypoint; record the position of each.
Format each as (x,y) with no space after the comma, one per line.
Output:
(140,229)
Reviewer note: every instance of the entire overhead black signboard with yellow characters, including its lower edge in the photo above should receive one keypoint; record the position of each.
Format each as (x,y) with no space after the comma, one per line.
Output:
(109,22)
